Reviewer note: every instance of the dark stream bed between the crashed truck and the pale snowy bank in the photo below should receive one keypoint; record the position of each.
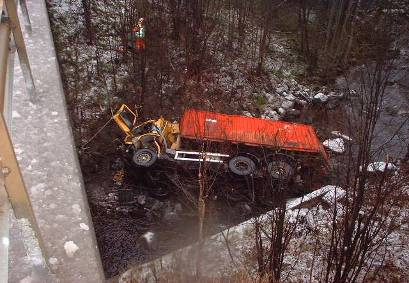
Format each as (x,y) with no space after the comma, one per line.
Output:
(162,200)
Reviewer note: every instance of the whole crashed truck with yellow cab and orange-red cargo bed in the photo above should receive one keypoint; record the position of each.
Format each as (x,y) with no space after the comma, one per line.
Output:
(245,145)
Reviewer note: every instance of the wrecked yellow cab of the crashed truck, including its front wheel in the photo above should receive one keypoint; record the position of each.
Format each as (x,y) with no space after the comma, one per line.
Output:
(151,139)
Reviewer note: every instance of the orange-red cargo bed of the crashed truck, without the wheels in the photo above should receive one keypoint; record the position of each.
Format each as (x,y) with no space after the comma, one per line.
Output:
(203,125)
